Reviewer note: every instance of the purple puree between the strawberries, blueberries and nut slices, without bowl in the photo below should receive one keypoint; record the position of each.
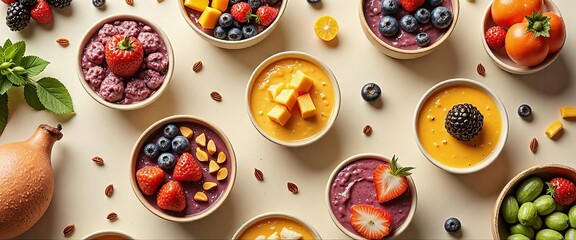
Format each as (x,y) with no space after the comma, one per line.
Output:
(190,188)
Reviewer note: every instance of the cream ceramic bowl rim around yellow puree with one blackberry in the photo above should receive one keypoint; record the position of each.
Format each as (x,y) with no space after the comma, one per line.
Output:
(503,135)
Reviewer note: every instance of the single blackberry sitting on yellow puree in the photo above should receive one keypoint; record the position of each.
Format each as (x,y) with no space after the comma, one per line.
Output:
(464,121)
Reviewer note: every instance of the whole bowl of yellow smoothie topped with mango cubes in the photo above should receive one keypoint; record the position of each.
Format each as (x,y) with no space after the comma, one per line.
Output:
(293,98)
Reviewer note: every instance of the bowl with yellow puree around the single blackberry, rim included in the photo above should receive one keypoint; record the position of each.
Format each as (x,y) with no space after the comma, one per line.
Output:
(440,146)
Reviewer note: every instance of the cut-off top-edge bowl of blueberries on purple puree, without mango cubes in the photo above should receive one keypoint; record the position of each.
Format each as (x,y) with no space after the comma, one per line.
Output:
(408,32)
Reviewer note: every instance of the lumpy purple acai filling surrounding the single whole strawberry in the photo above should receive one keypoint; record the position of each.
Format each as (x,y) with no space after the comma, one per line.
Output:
(133,89)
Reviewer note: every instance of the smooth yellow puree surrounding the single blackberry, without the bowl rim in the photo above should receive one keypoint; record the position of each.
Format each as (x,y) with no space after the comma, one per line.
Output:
(447,149)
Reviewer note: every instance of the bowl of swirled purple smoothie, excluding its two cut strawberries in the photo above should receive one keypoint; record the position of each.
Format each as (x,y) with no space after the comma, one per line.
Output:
(351,183)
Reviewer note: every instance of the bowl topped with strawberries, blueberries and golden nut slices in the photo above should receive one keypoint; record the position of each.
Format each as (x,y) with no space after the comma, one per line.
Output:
(182,168)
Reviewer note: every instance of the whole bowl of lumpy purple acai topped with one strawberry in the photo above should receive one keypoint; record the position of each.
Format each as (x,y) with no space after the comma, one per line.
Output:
(125,62)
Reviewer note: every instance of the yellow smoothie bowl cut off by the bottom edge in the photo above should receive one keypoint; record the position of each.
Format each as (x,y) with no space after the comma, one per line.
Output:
(276,225)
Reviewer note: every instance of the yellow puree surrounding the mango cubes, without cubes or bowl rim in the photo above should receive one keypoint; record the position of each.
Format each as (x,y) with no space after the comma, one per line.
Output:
(322,94)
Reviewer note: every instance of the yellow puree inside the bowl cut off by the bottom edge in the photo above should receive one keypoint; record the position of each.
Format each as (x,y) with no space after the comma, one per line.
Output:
(268,226)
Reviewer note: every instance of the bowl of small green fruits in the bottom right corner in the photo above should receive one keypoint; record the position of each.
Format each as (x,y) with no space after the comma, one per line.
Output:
(538,202)
